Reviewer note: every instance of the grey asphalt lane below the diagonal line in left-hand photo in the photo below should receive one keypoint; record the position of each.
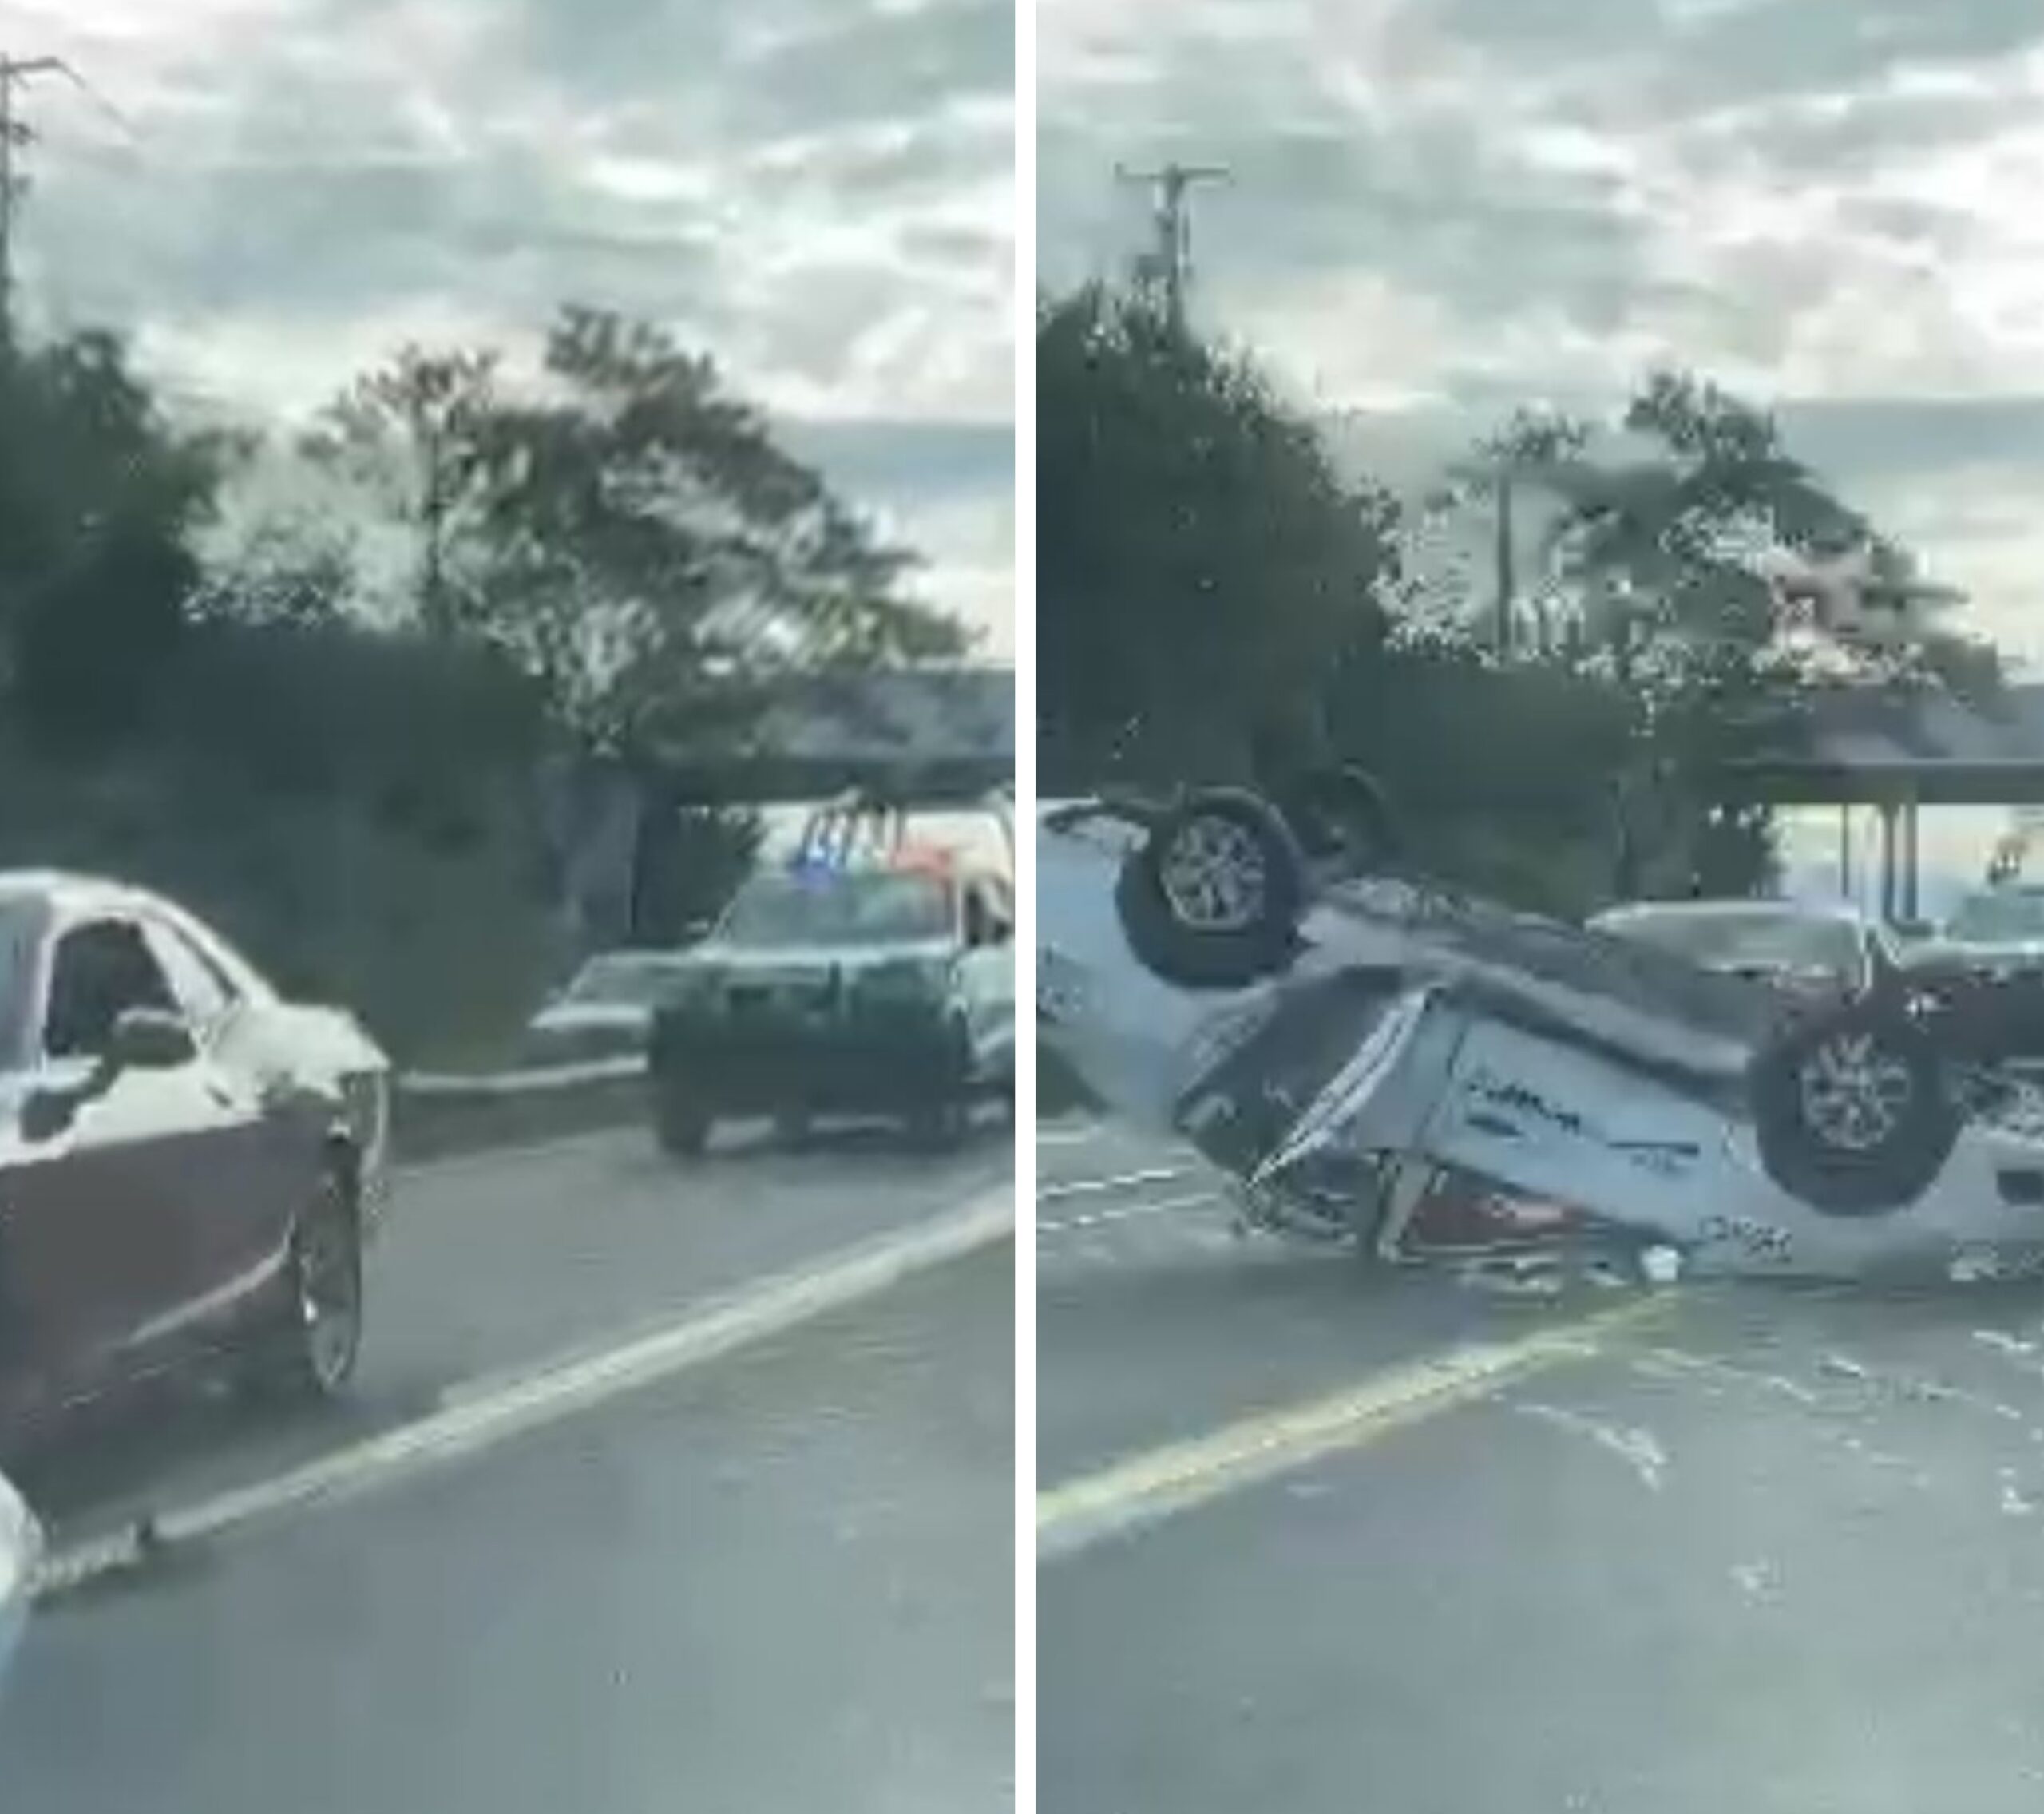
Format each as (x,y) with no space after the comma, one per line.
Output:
(782,1582)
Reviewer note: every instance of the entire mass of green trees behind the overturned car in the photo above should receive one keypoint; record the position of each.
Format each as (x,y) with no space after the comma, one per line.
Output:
(1215,595)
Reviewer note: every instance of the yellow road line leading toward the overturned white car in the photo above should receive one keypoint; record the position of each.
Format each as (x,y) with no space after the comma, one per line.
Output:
(1164,1482)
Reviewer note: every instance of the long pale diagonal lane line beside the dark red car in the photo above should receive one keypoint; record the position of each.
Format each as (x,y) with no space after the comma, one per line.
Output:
(557,1392)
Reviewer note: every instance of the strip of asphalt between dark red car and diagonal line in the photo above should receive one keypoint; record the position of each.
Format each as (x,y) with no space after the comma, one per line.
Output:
(502,1261)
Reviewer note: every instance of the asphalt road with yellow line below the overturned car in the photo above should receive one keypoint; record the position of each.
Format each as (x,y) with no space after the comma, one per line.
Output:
(1734,1547)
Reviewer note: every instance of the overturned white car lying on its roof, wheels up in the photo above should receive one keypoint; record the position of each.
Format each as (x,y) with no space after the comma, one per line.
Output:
(1338,1039)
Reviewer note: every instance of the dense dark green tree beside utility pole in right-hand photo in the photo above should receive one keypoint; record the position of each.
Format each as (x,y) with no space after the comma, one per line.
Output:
(1201,565)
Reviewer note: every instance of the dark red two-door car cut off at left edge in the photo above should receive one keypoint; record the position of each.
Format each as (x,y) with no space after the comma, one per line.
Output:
(189,1165)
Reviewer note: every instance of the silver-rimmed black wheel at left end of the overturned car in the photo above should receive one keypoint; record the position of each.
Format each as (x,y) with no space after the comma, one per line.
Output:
(1213,896)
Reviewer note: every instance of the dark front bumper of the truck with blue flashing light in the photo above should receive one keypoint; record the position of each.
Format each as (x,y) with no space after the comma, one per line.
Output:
(872,1063)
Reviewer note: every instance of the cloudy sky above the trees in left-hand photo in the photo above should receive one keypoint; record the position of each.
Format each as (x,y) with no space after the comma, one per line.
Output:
(821,193)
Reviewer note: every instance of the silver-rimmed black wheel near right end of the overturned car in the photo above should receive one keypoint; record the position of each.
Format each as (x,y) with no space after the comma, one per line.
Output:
(1855,1110)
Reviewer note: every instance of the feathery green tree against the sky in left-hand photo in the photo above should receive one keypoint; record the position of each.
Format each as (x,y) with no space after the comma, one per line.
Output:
(629,530)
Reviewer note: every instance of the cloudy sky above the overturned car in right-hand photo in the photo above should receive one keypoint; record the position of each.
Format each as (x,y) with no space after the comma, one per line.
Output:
(1446,207)
